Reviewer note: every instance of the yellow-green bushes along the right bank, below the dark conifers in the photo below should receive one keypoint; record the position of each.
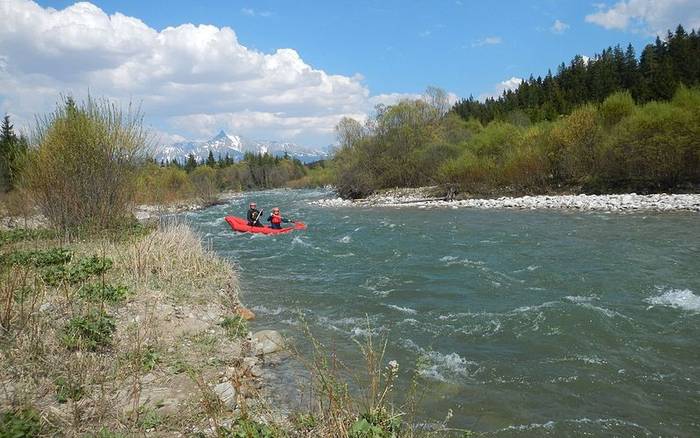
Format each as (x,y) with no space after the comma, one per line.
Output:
(614,146)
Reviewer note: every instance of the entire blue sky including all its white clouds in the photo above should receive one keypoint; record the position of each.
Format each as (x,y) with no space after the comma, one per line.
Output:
(290,70)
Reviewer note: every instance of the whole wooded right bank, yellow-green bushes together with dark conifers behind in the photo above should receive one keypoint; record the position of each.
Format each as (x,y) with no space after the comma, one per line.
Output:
(594,127)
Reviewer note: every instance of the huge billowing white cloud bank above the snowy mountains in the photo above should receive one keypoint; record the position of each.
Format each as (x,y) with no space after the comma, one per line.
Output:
(190,80)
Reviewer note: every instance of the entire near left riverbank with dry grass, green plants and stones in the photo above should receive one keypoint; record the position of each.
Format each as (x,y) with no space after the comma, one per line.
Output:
(145,334)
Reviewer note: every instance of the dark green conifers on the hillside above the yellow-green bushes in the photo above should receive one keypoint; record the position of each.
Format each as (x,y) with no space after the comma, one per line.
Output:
(655,75)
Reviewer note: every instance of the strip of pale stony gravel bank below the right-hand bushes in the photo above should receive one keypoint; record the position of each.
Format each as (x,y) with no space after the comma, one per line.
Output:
(424,198)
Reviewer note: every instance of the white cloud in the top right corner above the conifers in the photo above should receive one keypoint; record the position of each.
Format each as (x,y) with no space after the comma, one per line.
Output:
(651,16)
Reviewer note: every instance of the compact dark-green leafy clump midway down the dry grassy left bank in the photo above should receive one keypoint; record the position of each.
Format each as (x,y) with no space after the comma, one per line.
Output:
(90,331)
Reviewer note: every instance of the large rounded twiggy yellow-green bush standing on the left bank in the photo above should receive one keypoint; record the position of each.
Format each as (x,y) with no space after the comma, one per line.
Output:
(83,170)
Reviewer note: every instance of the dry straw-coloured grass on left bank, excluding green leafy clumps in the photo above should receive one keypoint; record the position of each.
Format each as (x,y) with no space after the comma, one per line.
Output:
(169,275)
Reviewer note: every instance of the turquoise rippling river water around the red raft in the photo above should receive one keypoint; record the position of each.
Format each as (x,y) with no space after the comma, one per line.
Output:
(523,323)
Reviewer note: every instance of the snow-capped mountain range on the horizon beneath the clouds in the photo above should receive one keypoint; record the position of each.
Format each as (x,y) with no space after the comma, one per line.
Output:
(235,147)
